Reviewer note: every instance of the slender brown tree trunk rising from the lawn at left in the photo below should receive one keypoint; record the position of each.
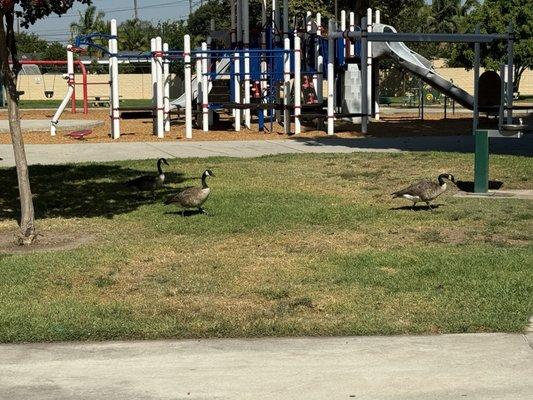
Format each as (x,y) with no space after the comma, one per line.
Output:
(27,232)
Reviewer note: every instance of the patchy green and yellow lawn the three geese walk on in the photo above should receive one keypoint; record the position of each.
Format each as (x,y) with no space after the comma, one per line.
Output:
(295,245)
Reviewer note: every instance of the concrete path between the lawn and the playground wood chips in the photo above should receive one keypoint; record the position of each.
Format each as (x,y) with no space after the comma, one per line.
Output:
(100,152)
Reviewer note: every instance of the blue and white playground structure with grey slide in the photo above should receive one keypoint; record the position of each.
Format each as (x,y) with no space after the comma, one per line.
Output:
(280,74)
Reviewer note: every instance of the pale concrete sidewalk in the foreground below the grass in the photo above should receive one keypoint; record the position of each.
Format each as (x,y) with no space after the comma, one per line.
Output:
(470,366)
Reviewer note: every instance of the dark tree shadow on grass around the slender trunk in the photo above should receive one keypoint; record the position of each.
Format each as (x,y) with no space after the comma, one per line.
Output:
(80,191)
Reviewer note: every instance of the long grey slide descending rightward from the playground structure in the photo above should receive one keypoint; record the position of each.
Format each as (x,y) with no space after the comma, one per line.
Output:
(419,66)
